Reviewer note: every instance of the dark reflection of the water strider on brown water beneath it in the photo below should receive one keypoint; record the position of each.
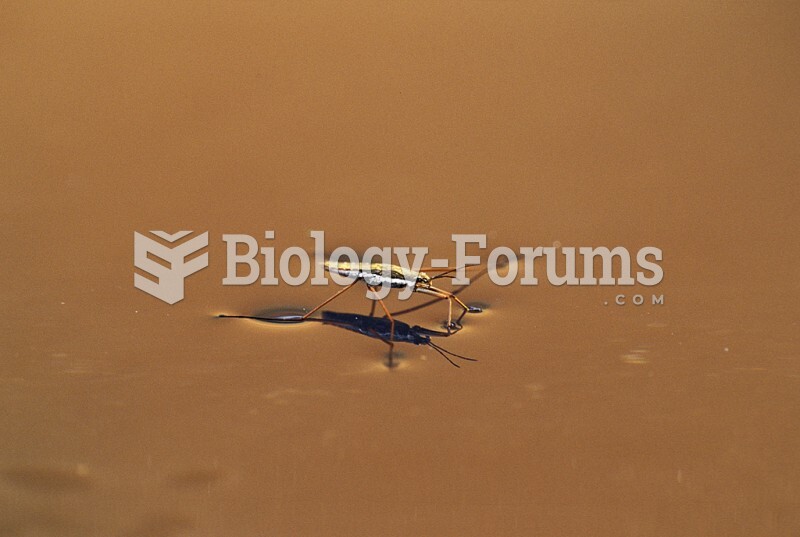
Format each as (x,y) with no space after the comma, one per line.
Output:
(375,327)
